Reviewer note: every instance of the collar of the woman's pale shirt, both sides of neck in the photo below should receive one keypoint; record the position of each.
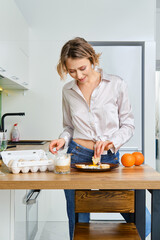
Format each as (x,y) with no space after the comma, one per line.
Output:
(104,76)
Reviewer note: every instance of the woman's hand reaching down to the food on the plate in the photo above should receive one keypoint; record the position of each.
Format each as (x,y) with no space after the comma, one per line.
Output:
(100,146)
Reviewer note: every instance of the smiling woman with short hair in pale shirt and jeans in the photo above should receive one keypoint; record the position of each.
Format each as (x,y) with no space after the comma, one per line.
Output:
(97,115)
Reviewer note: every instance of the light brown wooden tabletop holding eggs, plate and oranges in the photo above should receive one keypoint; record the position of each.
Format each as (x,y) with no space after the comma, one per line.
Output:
(137,177)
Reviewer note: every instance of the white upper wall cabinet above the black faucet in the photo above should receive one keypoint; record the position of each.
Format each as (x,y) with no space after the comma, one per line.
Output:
(14,54)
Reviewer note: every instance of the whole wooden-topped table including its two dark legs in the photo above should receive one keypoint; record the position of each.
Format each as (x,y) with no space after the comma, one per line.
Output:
(139,178)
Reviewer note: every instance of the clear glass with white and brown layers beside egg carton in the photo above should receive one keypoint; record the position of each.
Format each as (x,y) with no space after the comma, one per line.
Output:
(62,163)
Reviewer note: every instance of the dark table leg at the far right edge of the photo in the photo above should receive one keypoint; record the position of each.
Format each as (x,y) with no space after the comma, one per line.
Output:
(155,214)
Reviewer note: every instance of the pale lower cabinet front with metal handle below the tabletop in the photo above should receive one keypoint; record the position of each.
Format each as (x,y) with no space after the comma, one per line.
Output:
(26,214)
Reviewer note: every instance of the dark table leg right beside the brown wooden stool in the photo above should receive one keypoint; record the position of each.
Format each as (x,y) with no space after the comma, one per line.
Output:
(140,208)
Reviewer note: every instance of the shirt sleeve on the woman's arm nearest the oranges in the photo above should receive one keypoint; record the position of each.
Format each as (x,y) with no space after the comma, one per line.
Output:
(126,119)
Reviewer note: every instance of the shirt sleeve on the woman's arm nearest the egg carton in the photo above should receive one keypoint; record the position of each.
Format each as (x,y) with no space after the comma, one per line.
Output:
(67,121)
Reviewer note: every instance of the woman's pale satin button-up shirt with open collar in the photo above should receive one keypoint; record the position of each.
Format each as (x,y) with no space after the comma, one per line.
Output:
(109,116)
